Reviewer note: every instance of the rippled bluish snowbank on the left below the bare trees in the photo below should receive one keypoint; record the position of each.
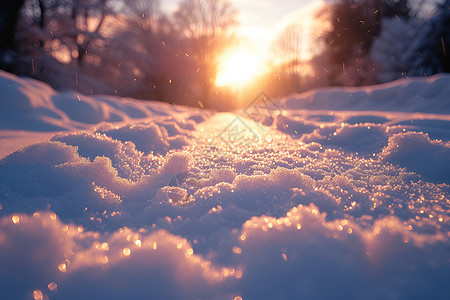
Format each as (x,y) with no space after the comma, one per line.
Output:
(28,104)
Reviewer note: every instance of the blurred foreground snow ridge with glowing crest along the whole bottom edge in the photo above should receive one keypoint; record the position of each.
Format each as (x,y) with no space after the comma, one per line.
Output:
(291,255)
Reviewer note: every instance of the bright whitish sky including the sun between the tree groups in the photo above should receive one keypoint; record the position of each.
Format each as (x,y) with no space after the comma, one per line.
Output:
(260,23)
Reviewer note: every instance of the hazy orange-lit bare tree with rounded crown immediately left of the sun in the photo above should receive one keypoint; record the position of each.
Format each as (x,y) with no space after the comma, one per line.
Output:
(208,25)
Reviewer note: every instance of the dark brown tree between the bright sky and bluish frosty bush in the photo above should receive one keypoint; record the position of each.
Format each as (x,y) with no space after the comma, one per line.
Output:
(355,25)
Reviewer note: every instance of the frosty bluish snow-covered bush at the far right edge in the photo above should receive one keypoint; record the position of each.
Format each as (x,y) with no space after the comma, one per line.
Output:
(415,47)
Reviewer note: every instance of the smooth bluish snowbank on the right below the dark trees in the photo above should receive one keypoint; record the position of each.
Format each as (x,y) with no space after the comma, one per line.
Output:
(430,95)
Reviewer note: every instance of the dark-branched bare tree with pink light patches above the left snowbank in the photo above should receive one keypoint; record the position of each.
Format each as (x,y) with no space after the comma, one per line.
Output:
(64,41)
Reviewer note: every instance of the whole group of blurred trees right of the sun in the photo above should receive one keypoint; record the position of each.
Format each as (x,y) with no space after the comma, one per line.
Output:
(369,42)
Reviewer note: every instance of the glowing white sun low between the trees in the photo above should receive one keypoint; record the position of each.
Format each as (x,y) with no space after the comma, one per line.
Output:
(236,68)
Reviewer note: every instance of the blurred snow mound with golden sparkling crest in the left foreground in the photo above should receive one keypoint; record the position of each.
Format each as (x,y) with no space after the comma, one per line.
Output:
(74,263)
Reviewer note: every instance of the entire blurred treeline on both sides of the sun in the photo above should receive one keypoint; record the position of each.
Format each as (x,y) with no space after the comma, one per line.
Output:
(132,48)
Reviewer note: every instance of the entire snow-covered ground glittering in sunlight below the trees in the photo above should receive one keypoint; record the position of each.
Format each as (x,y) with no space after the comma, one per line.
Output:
(335,194)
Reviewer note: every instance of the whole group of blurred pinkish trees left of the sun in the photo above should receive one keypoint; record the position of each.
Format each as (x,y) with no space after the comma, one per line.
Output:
(125,47)
